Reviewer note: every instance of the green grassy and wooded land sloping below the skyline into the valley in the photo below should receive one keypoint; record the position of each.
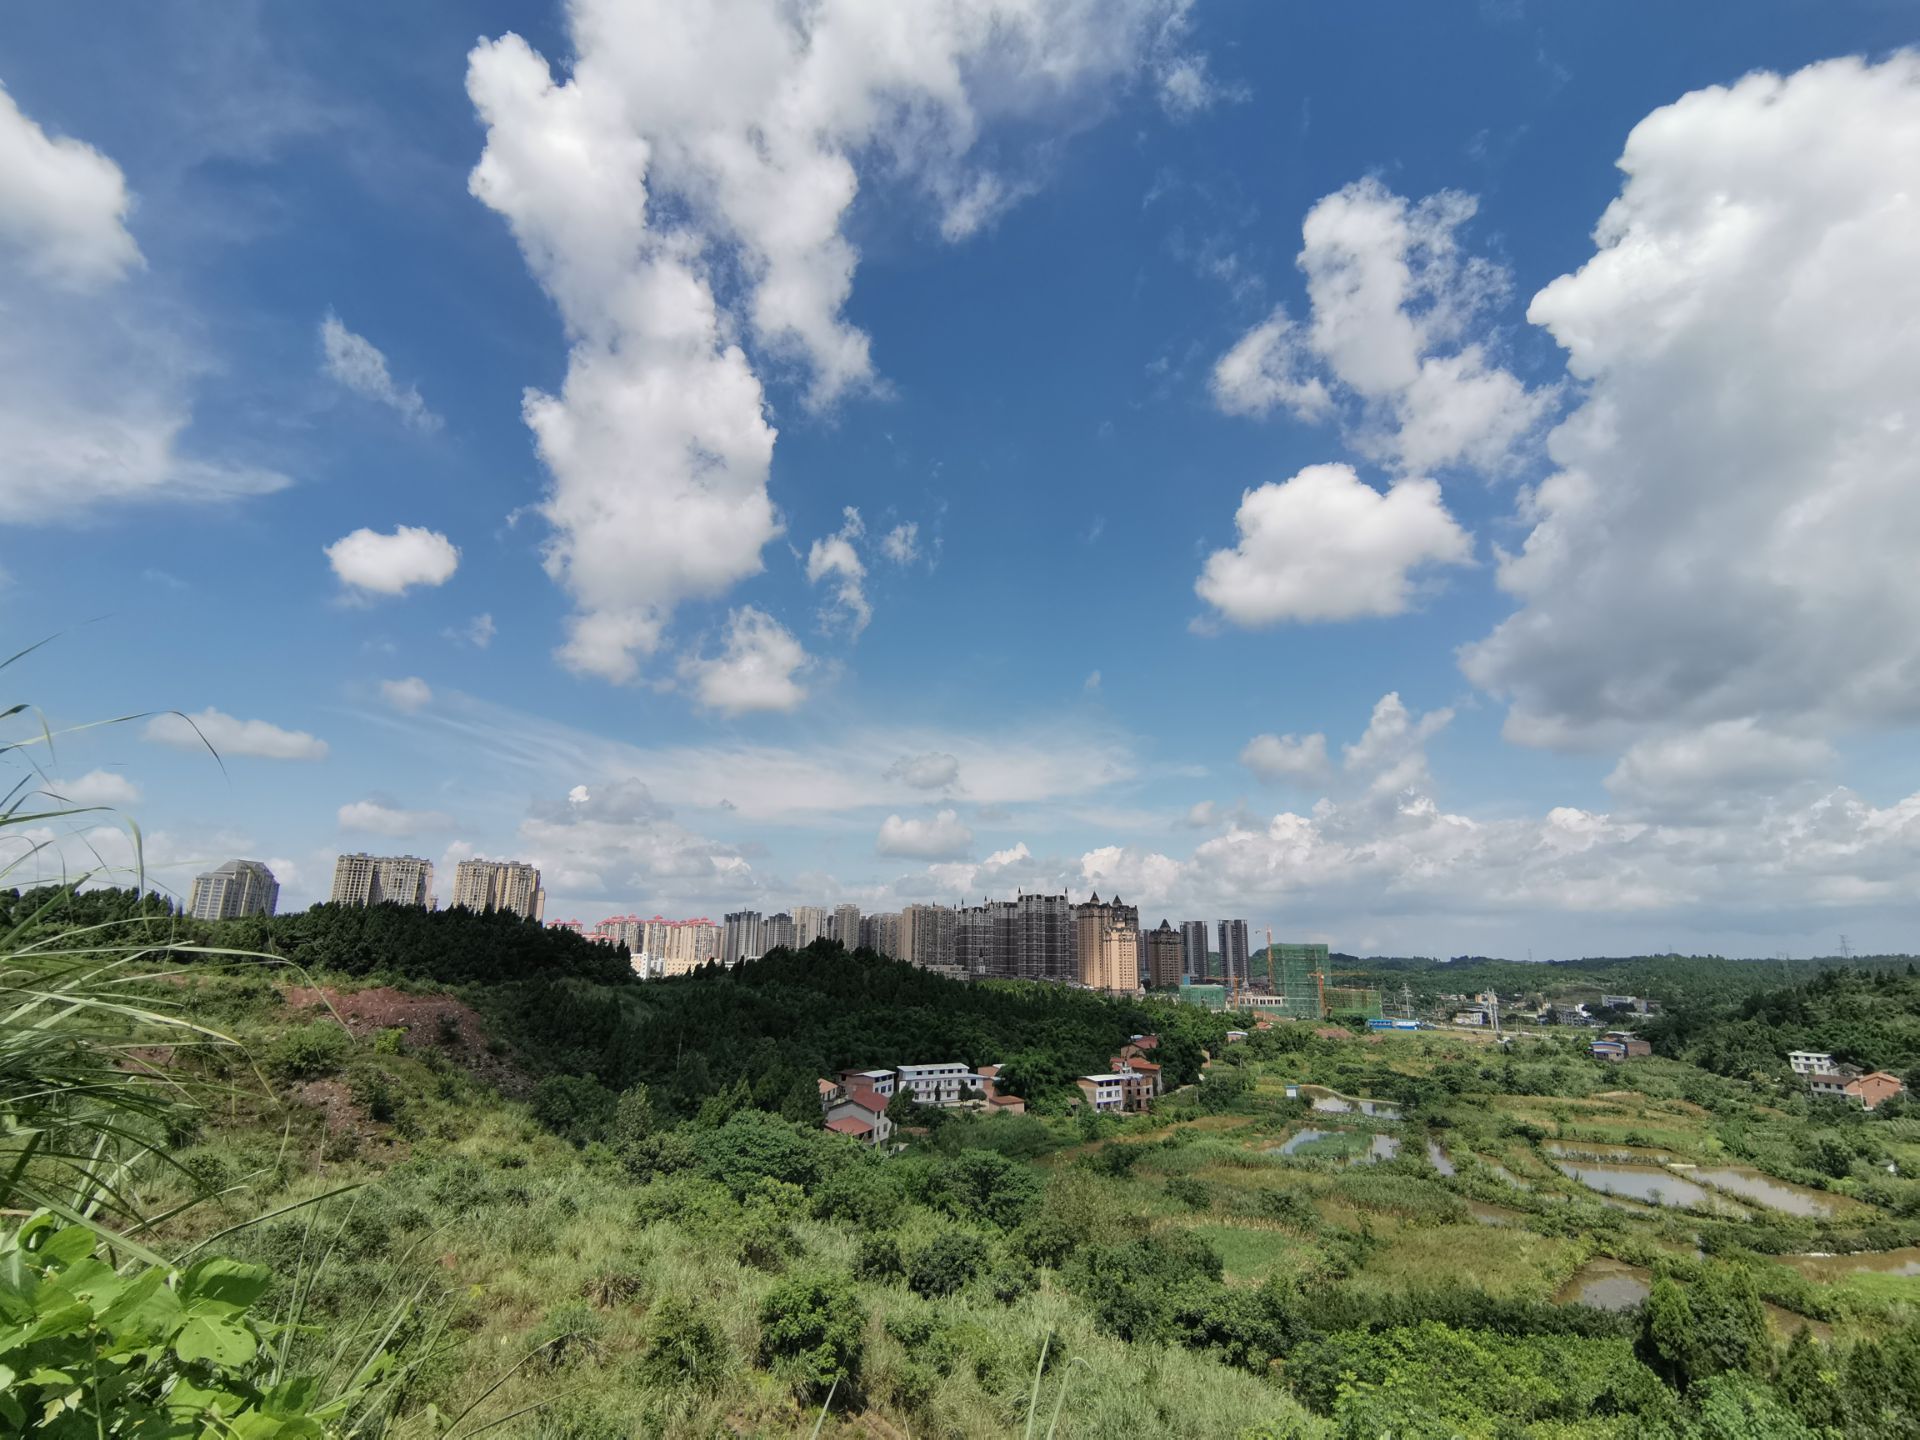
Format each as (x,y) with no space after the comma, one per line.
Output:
(558,1203)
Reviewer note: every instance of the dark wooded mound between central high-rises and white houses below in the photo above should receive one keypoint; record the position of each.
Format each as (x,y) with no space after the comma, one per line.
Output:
(782,1022)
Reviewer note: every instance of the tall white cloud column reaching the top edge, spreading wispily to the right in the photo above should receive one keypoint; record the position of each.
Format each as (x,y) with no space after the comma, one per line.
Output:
(688,139)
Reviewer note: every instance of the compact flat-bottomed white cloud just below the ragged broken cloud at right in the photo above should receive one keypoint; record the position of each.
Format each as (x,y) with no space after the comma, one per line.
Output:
(1326,546)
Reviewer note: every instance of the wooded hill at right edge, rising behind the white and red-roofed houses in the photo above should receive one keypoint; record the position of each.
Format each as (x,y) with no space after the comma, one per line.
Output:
(1863,1017)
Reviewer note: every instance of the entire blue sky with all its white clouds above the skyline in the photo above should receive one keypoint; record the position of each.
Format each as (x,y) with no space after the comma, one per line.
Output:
(1280,491)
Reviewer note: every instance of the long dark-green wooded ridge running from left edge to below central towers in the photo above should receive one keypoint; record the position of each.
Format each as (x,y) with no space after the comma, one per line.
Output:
(775,1026)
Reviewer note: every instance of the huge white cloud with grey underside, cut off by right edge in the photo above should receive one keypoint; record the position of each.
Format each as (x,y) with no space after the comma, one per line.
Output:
(1735,506)
